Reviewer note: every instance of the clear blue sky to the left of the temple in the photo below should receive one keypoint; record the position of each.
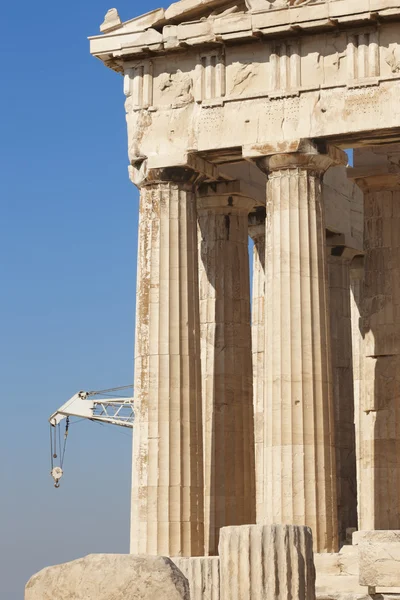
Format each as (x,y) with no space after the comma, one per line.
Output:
(68,237)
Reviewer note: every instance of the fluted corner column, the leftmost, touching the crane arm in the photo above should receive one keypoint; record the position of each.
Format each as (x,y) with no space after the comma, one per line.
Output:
(167,482)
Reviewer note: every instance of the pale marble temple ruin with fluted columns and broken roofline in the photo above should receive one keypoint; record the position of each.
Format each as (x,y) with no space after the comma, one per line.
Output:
(266,412)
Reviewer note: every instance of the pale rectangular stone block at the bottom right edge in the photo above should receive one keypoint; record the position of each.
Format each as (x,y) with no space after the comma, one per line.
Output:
(379,553)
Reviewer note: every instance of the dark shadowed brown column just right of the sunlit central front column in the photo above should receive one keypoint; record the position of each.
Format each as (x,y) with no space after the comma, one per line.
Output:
(339,259)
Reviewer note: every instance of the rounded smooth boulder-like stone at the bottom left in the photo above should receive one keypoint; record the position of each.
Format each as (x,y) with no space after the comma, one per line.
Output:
(110,577)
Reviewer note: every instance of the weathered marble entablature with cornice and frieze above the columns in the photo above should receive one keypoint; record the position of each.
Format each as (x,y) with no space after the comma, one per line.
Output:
(197,77)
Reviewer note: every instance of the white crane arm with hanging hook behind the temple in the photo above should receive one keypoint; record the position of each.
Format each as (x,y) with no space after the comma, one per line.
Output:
(86,405)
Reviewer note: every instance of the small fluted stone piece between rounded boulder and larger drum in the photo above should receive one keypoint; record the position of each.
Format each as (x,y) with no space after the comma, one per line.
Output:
(202,574)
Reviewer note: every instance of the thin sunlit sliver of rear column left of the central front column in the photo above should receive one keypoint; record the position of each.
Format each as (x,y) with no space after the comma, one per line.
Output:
(257,233)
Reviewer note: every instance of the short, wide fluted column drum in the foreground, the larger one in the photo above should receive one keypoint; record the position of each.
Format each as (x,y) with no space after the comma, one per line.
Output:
(267,562)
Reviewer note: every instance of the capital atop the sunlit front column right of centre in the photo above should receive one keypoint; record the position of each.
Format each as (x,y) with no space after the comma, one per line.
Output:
(305,155)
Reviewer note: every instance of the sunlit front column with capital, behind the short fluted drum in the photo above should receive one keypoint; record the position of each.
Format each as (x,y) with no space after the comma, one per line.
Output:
(299,464)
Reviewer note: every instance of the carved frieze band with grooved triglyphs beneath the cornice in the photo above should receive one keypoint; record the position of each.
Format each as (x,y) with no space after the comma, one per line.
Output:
(287,67)
